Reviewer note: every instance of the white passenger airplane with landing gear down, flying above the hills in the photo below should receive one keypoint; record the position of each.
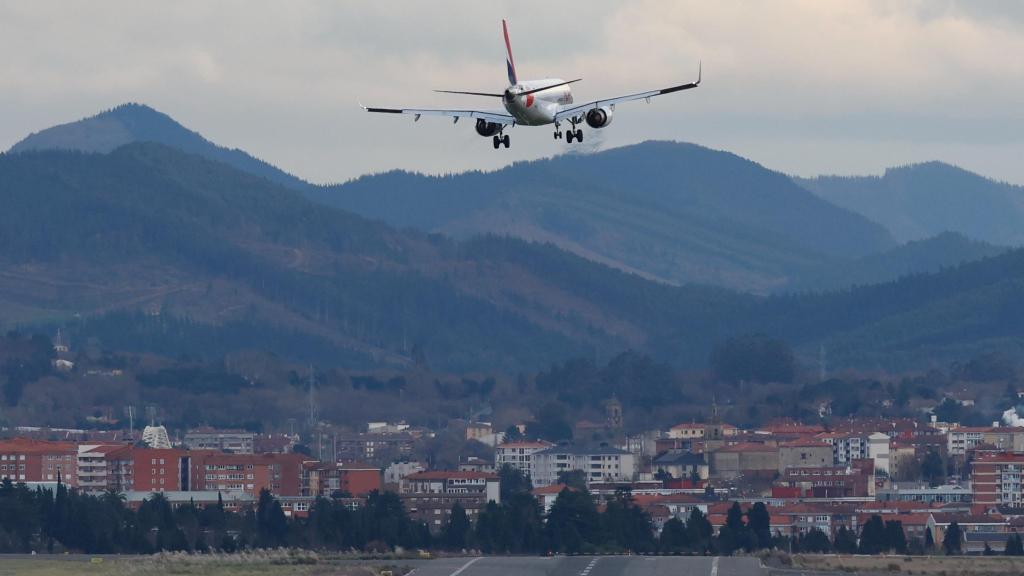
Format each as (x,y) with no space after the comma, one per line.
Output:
(536,103)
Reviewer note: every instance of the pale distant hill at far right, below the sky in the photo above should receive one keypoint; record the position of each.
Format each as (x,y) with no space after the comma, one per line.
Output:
(923,200)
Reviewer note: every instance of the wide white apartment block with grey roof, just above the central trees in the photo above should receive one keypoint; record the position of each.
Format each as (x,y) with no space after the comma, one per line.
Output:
(603,464)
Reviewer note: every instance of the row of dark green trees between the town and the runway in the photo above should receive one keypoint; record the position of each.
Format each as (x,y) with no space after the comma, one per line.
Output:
(62,520)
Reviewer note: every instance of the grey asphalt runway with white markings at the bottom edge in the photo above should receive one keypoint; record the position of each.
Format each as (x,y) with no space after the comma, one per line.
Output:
(591,566)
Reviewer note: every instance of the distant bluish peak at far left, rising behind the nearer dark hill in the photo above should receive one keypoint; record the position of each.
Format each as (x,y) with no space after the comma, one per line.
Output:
(138,124)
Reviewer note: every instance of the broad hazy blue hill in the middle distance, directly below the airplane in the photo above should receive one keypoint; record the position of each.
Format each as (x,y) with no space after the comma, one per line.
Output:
(672,212)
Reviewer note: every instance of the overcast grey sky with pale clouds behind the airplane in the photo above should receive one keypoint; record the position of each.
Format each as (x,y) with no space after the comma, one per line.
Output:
(802,87)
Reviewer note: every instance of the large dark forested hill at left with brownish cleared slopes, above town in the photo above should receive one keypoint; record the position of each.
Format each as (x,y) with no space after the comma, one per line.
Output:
(156,250)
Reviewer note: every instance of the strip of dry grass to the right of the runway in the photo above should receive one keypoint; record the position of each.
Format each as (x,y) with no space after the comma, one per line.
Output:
(934,565)
